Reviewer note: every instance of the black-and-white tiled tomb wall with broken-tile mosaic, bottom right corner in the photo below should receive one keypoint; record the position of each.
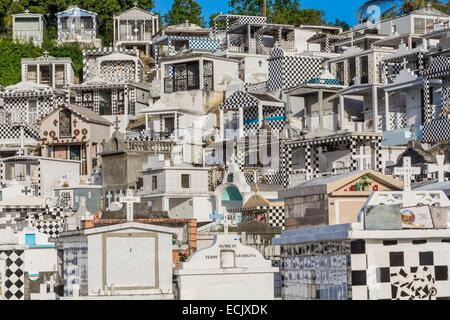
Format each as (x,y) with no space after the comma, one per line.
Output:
(409,272)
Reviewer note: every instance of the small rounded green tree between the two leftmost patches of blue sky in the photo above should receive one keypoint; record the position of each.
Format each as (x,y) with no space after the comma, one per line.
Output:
(183,10)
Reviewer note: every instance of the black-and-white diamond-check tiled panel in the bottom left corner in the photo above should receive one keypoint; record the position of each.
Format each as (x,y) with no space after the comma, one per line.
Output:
(15,276)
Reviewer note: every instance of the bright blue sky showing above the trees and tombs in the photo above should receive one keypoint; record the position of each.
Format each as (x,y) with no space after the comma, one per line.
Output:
(342,9)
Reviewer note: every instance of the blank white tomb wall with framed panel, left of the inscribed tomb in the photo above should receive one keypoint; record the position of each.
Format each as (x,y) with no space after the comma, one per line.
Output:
(138,269)
